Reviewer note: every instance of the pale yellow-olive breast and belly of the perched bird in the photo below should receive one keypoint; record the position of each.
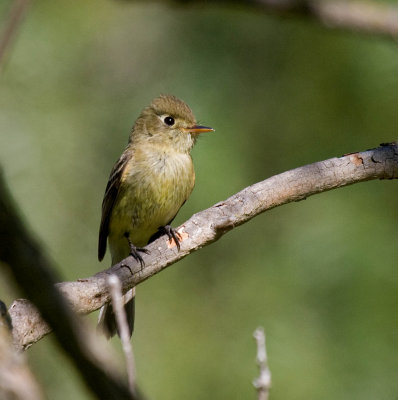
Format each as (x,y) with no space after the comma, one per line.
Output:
(148,201)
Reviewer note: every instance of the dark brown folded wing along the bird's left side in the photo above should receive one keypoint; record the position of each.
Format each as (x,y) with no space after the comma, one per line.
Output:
(111,192)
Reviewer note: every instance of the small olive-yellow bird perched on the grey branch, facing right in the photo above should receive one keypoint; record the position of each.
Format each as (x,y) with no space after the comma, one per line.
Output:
(147,186)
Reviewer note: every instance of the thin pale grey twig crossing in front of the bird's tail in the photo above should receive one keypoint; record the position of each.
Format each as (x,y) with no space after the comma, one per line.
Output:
(121,319)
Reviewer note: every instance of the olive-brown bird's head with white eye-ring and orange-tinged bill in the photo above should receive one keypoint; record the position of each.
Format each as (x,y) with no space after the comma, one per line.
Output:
(167,121)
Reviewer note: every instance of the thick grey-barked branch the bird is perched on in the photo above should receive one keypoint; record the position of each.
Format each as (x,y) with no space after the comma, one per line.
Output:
(205,227)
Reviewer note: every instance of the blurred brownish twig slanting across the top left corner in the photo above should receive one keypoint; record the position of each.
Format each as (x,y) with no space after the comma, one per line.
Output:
(15,18)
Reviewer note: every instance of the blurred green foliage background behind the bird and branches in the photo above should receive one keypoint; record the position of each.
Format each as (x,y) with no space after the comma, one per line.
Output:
(319,275)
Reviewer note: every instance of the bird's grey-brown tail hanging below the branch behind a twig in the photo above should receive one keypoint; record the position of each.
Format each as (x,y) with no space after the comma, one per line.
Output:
(106,319)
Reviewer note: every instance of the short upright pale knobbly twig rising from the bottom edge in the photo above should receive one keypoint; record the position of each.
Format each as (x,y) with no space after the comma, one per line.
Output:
(263,382)
